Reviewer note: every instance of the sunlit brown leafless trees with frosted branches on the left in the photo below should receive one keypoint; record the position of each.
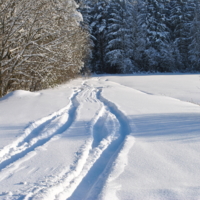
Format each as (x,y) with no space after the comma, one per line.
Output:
(41,43)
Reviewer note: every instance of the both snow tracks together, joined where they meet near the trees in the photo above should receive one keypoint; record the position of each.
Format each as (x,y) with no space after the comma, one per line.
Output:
(93,162)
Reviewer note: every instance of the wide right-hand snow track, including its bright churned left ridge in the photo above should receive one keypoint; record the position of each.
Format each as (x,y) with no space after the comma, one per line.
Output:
(85,179)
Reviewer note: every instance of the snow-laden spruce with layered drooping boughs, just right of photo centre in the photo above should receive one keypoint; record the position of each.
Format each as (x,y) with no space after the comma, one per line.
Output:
(118,37)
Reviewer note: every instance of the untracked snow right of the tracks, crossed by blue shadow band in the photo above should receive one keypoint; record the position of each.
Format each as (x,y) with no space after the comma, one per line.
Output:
(163,161)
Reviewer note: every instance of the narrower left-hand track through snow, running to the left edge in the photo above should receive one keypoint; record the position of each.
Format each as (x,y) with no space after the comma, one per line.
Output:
(39,133)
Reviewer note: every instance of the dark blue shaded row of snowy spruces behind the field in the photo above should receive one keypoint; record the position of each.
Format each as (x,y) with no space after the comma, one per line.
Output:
(143,35)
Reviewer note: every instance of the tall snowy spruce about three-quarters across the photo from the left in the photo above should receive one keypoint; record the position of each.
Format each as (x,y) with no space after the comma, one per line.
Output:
(158,52)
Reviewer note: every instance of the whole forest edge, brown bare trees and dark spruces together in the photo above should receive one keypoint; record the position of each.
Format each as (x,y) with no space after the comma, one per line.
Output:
(44,43)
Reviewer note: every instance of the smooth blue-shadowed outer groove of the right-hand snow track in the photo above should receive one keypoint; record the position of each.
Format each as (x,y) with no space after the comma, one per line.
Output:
(89,188)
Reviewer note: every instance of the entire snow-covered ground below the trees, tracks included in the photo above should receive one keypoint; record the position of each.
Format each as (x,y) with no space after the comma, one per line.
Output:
(133,137)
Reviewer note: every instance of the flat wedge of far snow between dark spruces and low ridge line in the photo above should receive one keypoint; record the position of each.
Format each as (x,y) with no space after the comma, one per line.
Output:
(185,87)
